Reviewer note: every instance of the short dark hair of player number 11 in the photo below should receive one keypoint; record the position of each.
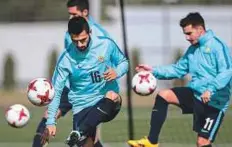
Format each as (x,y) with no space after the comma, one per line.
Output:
(194,19)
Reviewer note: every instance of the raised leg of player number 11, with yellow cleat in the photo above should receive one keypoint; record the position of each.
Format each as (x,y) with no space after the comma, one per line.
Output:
(159,113)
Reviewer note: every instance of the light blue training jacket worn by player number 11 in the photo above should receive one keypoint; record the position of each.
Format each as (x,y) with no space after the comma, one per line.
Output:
(210,67)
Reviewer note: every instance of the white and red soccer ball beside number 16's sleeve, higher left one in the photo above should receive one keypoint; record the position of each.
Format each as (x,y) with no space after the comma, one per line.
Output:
(40,92)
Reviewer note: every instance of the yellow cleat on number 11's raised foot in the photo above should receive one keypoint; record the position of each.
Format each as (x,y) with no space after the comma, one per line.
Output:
(144,142)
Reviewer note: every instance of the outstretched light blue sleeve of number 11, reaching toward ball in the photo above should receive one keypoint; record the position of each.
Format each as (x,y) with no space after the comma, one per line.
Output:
(177,70)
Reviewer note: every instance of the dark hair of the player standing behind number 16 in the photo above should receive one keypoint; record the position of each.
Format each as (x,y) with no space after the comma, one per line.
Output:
(81,4)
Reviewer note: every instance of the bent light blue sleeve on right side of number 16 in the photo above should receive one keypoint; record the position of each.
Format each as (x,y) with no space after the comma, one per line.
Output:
(119,60)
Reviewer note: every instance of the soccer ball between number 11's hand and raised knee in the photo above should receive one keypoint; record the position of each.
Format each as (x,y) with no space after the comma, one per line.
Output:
(144,83)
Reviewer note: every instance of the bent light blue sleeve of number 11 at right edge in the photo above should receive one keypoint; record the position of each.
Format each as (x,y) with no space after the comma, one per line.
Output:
(224,65)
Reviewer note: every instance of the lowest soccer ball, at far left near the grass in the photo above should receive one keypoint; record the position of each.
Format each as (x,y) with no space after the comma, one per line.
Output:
(17,116)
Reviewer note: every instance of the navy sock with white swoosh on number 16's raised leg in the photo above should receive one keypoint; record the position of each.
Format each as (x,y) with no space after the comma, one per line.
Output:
(97,114)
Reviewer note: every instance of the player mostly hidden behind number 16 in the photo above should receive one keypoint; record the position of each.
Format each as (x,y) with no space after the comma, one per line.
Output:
(75,8)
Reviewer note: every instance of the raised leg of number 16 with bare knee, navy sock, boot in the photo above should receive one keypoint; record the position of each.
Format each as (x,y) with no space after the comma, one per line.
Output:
(105,110)
